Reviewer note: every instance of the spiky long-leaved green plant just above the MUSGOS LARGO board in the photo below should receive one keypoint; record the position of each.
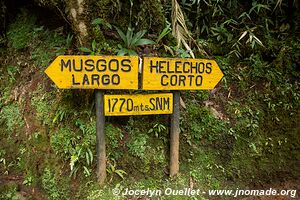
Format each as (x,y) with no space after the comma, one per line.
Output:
(131,41)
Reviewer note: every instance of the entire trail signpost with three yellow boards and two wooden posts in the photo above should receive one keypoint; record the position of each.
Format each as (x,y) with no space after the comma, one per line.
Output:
(121,72)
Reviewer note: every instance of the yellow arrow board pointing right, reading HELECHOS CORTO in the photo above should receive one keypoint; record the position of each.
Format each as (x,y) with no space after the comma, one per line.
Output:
(180,74)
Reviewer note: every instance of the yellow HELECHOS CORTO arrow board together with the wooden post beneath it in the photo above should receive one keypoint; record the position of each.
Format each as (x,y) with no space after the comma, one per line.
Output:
(178,74)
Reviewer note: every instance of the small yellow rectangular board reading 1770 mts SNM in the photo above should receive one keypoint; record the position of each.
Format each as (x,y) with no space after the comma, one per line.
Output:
(138,104)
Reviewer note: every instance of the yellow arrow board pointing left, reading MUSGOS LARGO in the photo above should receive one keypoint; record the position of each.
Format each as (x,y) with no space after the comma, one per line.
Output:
(94,72)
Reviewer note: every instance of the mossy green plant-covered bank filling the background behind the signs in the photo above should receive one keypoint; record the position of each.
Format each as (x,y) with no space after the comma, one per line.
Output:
(244,133)
